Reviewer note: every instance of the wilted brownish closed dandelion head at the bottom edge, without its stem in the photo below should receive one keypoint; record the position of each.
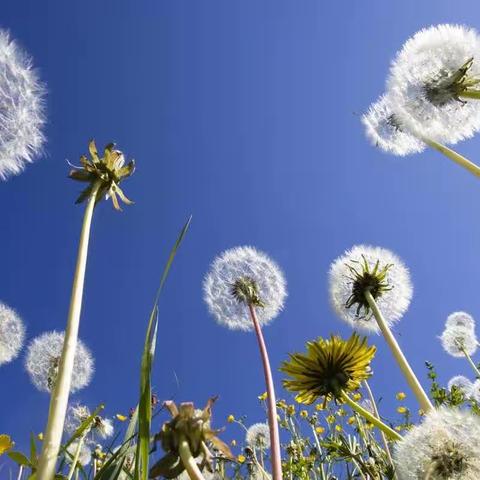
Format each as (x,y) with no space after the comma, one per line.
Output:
(195,427)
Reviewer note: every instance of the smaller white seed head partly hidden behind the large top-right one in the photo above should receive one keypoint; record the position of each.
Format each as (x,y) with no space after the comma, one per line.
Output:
(384,131)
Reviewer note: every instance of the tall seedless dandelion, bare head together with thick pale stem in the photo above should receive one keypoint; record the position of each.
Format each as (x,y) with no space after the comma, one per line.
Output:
(103,175)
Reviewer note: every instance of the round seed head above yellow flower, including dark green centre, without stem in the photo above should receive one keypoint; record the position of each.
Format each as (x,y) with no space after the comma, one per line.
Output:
(374,269)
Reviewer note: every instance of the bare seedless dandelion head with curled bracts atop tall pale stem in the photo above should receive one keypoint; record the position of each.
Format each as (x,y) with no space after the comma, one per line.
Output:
(109,170)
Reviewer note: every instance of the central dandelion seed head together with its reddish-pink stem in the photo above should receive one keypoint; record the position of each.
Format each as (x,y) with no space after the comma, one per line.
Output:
(245,290)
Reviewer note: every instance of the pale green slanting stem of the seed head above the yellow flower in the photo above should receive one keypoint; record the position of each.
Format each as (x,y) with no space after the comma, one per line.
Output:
(407,371)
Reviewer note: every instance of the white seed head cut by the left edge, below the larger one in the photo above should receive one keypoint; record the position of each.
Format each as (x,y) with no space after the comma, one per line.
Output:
(12,334)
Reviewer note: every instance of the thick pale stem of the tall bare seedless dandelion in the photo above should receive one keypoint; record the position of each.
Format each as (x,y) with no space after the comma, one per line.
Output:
(61,391)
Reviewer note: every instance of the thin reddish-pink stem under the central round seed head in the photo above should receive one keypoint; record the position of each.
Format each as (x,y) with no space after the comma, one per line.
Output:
(271,400)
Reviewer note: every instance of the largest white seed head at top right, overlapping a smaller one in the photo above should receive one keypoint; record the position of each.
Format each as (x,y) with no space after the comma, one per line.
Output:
(426,59)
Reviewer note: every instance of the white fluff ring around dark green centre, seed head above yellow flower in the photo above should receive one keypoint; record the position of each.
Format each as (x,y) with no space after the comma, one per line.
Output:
(393,303)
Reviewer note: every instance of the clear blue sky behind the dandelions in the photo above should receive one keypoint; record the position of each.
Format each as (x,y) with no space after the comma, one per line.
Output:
(246,115)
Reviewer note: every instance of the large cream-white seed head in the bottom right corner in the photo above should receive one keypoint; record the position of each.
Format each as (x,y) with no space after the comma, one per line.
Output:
(445,446)
